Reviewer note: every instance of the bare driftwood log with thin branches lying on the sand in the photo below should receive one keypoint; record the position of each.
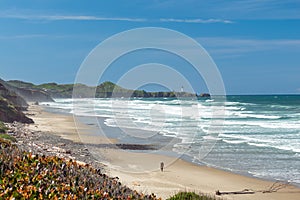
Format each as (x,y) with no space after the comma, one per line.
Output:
(273,188)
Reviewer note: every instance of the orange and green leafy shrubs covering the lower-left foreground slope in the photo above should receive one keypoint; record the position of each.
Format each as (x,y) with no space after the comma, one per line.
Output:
(27,176)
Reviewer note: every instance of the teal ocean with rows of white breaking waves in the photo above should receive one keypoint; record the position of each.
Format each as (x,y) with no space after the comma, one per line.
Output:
(257,135)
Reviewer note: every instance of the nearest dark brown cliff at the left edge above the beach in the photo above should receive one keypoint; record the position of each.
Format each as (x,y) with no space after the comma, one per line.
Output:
(11,106)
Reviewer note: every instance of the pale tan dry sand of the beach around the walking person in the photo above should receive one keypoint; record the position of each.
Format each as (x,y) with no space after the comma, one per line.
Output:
(140,171)
